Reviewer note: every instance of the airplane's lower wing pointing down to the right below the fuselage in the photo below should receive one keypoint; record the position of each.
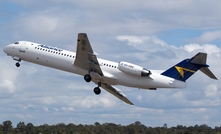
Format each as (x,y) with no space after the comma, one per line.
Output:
(116,92)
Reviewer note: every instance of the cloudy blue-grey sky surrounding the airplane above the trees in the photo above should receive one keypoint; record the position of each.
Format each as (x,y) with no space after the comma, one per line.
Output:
(153,34)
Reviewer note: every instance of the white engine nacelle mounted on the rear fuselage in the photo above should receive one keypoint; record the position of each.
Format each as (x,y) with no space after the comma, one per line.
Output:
(132,69)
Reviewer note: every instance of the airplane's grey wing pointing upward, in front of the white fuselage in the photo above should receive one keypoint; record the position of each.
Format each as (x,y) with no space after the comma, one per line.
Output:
(85,56)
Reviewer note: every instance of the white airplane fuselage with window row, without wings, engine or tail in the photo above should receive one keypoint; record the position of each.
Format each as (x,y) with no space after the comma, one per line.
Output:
(64,60)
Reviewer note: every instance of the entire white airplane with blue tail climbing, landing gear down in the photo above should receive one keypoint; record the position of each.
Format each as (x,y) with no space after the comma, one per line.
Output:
(105,73)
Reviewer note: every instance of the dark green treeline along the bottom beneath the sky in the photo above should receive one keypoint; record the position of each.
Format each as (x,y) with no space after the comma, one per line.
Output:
(106,128)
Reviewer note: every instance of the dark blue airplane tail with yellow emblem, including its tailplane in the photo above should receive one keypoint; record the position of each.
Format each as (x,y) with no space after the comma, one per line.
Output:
(186,68)
